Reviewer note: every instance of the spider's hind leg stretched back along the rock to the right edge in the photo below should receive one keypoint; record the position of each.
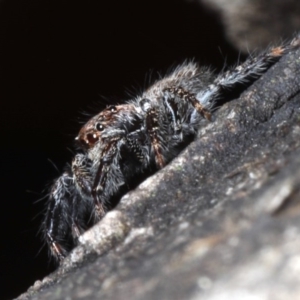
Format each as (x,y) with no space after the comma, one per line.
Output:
(252,68)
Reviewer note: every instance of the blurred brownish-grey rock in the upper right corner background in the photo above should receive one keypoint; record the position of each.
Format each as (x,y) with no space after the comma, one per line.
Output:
(252,24)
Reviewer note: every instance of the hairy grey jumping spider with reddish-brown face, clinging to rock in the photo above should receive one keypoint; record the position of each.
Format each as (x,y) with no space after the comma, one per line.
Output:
(125,141)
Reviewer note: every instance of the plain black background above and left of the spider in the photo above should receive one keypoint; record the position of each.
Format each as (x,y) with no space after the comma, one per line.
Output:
(58,58)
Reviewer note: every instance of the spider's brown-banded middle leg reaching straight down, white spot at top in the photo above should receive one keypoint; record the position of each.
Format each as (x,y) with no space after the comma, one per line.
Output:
(152,127)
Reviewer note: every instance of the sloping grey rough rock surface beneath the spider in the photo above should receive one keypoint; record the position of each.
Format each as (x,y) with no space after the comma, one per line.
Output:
(222,221)
